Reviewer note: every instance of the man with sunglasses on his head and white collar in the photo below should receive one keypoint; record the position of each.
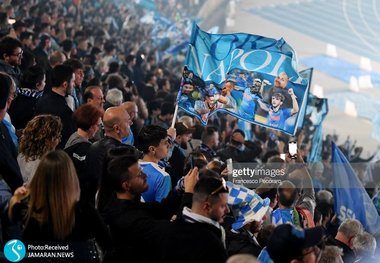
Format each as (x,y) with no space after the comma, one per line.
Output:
(196,235)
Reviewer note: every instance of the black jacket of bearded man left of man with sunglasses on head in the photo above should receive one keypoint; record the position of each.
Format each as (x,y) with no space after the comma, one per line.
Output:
(137,228)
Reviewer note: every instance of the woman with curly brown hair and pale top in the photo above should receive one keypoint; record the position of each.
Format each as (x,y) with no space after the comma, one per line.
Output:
(41,135)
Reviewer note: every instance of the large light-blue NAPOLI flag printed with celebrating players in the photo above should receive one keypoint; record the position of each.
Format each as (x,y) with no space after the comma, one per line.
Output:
(251,77)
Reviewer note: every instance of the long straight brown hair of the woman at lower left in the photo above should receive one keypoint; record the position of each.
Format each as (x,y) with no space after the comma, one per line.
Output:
(53,194)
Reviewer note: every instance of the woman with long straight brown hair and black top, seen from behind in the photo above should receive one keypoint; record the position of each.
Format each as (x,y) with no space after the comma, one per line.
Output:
(49,209)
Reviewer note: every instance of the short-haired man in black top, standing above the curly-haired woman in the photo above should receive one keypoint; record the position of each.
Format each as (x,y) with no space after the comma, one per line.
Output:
(54,101)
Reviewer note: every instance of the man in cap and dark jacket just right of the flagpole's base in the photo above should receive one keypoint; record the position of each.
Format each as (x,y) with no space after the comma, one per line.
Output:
(177,160)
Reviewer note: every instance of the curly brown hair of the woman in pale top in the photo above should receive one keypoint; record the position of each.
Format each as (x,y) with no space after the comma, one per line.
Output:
(39,135)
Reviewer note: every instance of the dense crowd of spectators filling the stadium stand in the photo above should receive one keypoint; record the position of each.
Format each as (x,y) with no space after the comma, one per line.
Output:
(88,156)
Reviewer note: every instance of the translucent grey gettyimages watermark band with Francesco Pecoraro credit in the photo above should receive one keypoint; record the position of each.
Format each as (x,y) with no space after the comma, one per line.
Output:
(253,175)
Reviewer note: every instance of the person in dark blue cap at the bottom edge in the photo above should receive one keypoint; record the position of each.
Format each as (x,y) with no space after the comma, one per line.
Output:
(289,244)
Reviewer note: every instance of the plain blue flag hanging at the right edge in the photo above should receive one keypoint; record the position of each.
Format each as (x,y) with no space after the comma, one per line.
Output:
(350,198)
